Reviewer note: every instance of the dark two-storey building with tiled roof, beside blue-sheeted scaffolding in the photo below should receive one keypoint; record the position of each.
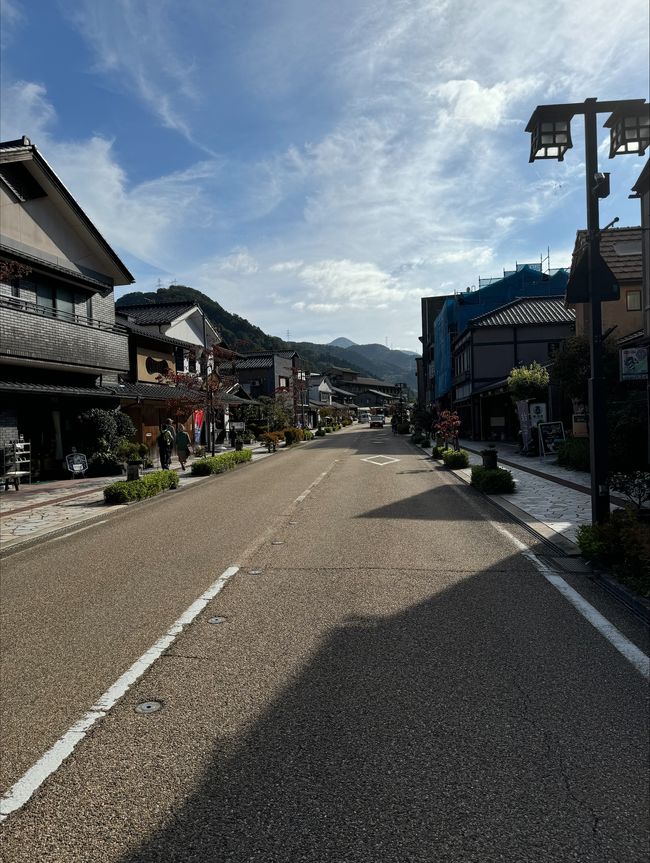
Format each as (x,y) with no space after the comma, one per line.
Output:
(523,331)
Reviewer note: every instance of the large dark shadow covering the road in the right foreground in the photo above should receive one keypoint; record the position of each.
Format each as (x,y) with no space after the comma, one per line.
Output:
(466,728)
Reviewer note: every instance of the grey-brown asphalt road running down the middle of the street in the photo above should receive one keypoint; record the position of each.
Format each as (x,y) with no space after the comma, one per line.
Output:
(393,680)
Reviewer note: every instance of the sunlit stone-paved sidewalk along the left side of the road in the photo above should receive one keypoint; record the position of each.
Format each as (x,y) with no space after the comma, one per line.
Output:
(45,508)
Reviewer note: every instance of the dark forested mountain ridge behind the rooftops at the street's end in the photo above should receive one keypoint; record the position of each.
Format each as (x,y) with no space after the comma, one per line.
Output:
(373,361)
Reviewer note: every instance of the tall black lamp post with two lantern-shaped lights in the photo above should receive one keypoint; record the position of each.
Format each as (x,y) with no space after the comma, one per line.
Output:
(550,131)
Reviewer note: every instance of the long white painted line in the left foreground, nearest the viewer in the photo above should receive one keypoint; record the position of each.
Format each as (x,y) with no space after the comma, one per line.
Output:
(22,790)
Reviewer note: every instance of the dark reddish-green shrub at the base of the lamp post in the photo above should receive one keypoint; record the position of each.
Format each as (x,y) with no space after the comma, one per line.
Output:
(623,544)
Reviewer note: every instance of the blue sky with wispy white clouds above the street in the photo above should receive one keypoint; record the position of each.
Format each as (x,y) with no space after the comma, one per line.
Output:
(318,166)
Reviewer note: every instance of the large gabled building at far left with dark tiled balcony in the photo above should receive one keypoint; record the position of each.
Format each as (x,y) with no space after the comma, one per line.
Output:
(61,350)
